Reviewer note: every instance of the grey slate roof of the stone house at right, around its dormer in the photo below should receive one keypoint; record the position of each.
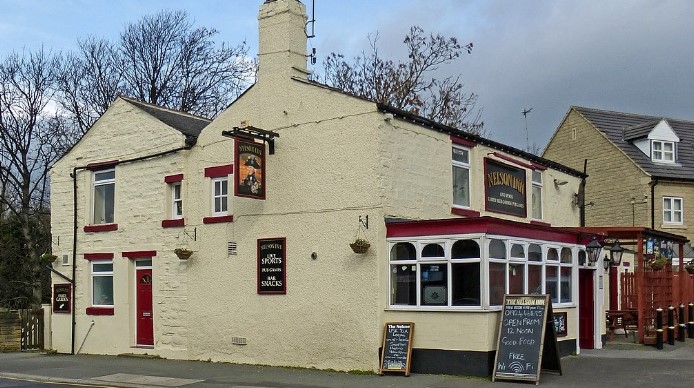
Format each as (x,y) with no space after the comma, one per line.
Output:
(615,124)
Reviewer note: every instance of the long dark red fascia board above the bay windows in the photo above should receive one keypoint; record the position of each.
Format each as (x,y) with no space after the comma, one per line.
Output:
(489,225)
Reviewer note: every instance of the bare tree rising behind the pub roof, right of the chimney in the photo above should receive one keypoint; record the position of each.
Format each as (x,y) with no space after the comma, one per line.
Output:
(409,85)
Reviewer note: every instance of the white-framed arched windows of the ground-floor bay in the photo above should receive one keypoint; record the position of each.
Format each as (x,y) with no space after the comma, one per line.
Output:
(455,273)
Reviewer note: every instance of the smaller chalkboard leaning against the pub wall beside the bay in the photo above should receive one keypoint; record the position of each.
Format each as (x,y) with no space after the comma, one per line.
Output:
(396,352)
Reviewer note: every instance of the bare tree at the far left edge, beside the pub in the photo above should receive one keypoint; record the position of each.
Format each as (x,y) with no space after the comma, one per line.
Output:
(31,139)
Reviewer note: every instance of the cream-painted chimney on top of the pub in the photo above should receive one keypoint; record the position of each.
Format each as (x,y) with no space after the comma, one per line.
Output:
(282,43)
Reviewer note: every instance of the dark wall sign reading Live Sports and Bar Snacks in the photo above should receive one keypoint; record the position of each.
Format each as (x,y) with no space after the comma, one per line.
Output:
(272,275)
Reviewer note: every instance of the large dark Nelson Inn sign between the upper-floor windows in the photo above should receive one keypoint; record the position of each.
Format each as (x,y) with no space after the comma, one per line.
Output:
(504,188)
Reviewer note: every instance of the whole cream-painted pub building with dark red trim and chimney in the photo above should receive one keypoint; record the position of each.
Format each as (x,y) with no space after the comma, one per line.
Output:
(288,230)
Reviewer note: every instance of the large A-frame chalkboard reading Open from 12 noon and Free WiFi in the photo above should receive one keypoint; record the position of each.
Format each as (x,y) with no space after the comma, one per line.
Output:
(527,340)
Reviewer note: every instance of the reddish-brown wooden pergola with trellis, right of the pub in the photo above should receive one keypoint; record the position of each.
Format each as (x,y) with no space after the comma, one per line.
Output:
(646,288)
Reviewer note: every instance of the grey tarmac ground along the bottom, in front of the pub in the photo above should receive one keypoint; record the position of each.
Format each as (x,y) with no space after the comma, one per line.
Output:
(621,363)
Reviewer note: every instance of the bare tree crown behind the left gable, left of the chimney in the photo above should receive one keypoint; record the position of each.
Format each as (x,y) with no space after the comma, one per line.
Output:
(161,59)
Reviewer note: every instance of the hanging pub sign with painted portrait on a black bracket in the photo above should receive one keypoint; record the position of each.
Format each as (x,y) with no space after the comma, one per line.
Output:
(250,169)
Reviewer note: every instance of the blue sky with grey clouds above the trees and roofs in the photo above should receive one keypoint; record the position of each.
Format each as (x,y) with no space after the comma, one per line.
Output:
(625,55)
